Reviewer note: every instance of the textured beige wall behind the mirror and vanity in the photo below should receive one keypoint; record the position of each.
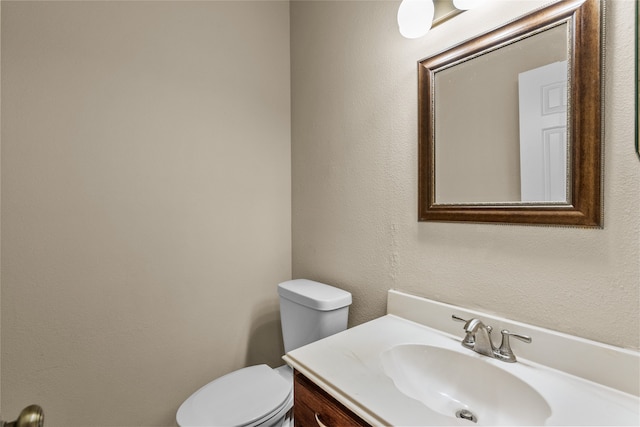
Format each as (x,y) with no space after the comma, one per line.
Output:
(354,147)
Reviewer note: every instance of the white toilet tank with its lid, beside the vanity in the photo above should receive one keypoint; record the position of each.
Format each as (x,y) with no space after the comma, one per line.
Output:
(310,311)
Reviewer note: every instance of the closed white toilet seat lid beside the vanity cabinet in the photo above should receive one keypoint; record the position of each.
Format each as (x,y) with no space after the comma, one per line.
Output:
(246,397)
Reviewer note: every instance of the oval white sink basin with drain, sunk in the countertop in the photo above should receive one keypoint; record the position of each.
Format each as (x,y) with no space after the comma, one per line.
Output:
(466,387)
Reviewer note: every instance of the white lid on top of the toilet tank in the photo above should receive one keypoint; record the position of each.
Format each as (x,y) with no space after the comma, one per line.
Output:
(314,295)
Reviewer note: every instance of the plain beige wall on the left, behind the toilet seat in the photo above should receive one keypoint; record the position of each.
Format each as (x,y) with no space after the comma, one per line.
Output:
(145,202)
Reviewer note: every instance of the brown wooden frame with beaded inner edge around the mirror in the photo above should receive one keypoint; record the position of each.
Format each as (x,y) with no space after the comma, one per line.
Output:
(585,125)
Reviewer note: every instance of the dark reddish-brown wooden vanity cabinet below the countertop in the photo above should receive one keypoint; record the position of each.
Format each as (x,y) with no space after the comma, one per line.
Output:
(315,407)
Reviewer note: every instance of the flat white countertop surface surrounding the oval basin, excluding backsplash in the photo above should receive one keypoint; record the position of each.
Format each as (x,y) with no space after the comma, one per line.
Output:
(349,367)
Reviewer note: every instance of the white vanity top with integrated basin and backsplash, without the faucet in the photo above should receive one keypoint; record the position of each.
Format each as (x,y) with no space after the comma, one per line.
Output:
(412,370)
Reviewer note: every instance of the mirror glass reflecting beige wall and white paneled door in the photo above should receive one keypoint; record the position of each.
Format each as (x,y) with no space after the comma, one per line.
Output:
(501,124)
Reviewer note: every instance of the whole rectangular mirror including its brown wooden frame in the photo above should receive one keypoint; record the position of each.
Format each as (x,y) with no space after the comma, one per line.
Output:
(510,122)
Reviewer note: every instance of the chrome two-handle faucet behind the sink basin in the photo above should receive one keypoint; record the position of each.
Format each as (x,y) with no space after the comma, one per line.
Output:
(478,338)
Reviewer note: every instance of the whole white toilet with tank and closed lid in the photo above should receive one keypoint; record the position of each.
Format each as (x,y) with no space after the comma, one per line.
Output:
(260,395)
